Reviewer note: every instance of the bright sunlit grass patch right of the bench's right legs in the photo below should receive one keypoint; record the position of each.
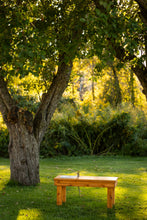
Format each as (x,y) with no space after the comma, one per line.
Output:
(130,195)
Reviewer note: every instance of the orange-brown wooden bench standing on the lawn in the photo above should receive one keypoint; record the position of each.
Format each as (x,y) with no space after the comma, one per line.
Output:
(85,181)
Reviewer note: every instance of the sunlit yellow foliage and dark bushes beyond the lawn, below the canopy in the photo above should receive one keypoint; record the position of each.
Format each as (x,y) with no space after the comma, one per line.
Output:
(87,120)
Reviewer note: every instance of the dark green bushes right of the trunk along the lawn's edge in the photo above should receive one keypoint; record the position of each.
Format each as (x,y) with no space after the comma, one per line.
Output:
(76,137)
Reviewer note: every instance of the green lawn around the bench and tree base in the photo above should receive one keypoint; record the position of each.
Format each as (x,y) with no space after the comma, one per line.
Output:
(39,202)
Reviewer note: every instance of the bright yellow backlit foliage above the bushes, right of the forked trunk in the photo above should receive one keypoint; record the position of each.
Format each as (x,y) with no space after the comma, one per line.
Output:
(84,70)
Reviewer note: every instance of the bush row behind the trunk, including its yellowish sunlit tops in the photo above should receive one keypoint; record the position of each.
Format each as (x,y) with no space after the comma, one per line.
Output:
(74,131)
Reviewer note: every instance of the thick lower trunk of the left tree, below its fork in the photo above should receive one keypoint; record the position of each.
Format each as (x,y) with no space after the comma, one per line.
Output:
(23,148)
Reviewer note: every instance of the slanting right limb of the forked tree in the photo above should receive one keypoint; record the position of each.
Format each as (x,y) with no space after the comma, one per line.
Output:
(50,100)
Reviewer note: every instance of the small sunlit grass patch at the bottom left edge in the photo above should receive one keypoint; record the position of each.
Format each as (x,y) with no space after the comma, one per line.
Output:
(31,214)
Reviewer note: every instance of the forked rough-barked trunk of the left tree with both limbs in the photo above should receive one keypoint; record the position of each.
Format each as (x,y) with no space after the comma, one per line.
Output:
(26,133)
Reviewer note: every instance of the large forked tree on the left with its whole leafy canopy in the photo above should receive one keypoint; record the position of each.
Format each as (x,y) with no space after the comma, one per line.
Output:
(37,37)
